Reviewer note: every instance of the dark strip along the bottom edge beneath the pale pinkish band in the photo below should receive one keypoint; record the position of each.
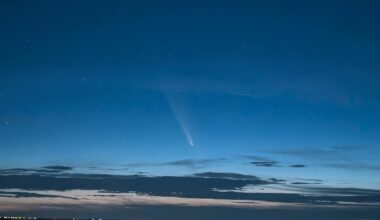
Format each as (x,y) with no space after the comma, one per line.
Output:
(220,213)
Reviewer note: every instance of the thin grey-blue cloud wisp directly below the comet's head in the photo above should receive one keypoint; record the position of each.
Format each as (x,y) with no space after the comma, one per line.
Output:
(188,163)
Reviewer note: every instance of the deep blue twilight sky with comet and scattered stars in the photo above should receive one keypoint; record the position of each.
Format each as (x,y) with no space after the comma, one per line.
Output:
(270,90)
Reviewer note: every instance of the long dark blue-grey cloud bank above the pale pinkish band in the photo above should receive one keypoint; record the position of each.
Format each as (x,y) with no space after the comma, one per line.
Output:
(200,185)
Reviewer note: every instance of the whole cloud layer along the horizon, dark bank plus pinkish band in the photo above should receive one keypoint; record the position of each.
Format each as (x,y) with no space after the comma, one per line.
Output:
(26,190)
